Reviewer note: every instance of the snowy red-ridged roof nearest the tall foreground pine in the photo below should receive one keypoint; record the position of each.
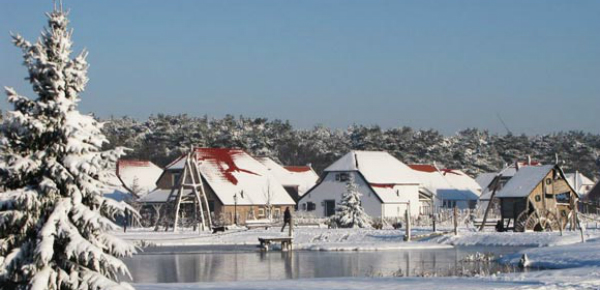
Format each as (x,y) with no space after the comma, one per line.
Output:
(138,175)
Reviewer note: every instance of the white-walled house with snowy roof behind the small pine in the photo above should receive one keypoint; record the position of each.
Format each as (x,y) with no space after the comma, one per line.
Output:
(387,185)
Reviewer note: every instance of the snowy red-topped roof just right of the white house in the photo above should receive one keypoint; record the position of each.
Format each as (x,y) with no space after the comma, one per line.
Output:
(447,184)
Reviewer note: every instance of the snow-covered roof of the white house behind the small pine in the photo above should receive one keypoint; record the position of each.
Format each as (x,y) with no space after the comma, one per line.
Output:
(378,167)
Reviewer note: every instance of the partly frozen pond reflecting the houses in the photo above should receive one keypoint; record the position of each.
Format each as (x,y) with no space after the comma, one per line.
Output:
(243,263)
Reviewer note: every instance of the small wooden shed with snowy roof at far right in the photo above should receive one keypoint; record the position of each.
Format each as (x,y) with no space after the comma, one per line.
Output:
(536,198)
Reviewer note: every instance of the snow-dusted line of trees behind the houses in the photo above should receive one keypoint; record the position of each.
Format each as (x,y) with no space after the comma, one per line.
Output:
(161,138)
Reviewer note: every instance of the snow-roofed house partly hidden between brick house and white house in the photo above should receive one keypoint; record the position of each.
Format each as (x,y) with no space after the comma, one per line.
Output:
(296,180)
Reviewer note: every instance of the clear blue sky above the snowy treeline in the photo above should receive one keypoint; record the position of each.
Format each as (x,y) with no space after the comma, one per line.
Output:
(445,65)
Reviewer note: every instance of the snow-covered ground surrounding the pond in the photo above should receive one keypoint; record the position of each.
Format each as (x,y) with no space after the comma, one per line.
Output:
(573,265)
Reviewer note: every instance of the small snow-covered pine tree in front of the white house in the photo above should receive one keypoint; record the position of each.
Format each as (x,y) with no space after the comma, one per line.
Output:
(350,213)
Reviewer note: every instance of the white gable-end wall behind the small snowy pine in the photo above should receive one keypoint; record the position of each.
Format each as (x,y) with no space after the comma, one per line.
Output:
(329,188)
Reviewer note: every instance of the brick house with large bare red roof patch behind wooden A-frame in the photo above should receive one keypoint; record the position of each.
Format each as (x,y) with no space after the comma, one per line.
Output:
(234,182)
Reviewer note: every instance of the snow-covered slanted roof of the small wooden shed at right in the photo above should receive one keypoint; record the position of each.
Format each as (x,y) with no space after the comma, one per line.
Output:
(524,181)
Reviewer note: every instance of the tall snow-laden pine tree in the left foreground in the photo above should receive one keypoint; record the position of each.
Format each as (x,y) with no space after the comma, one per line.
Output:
(54,221)
